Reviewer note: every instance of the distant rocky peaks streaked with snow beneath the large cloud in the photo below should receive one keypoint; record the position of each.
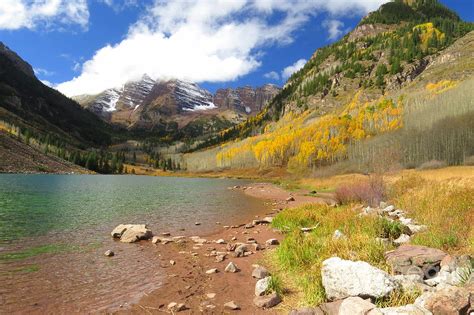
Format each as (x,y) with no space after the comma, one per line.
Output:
(147,104)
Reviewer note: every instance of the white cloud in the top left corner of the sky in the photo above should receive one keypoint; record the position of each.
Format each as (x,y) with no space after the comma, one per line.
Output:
(17,14)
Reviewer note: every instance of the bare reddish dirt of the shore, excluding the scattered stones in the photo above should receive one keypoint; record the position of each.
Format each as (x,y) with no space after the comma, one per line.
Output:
(187,282)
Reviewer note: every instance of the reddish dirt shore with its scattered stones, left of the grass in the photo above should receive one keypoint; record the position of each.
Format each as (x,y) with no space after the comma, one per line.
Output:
(220,272)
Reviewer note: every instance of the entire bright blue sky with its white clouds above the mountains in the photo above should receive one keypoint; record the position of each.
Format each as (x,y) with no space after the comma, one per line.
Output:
(226,43)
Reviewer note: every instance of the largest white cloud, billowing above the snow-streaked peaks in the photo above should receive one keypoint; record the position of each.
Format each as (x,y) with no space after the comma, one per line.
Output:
(208,40)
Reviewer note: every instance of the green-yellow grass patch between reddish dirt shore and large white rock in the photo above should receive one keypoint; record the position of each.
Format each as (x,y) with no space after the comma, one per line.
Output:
(297,261)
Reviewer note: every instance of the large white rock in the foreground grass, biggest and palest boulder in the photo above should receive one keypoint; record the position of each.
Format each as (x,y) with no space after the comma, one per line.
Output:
(344,278)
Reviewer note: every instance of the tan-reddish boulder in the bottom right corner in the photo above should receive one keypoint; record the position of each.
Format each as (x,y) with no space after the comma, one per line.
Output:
(448,300)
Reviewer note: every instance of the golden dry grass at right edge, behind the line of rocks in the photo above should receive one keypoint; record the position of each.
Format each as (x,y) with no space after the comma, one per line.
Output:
(446,207)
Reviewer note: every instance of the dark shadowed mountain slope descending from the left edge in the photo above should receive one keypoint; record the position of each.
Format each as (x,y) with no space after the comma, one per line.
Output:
(29,104)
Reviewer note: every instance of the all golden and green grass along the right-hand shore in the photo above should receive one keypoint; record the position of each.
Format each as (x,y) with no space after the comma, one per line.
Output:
(443,199)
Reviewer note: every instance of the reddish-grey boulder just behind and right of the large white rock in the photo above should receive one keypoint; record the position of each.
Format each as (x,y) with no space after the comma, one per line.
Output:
(415,259)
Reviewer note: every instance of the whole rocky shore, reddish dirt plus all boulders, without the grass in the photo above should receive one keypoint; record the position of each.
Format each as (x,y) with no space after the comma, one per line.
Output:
(225,272)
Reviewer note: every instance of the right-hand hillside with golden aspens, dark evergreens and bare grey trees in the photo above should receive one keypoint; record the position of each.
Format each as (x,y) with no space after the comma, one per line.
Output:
(367,99)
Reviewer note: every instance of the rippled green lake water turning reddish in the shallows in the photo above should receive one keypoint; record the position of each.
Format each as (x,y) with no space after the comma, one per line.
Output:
(55,228)
